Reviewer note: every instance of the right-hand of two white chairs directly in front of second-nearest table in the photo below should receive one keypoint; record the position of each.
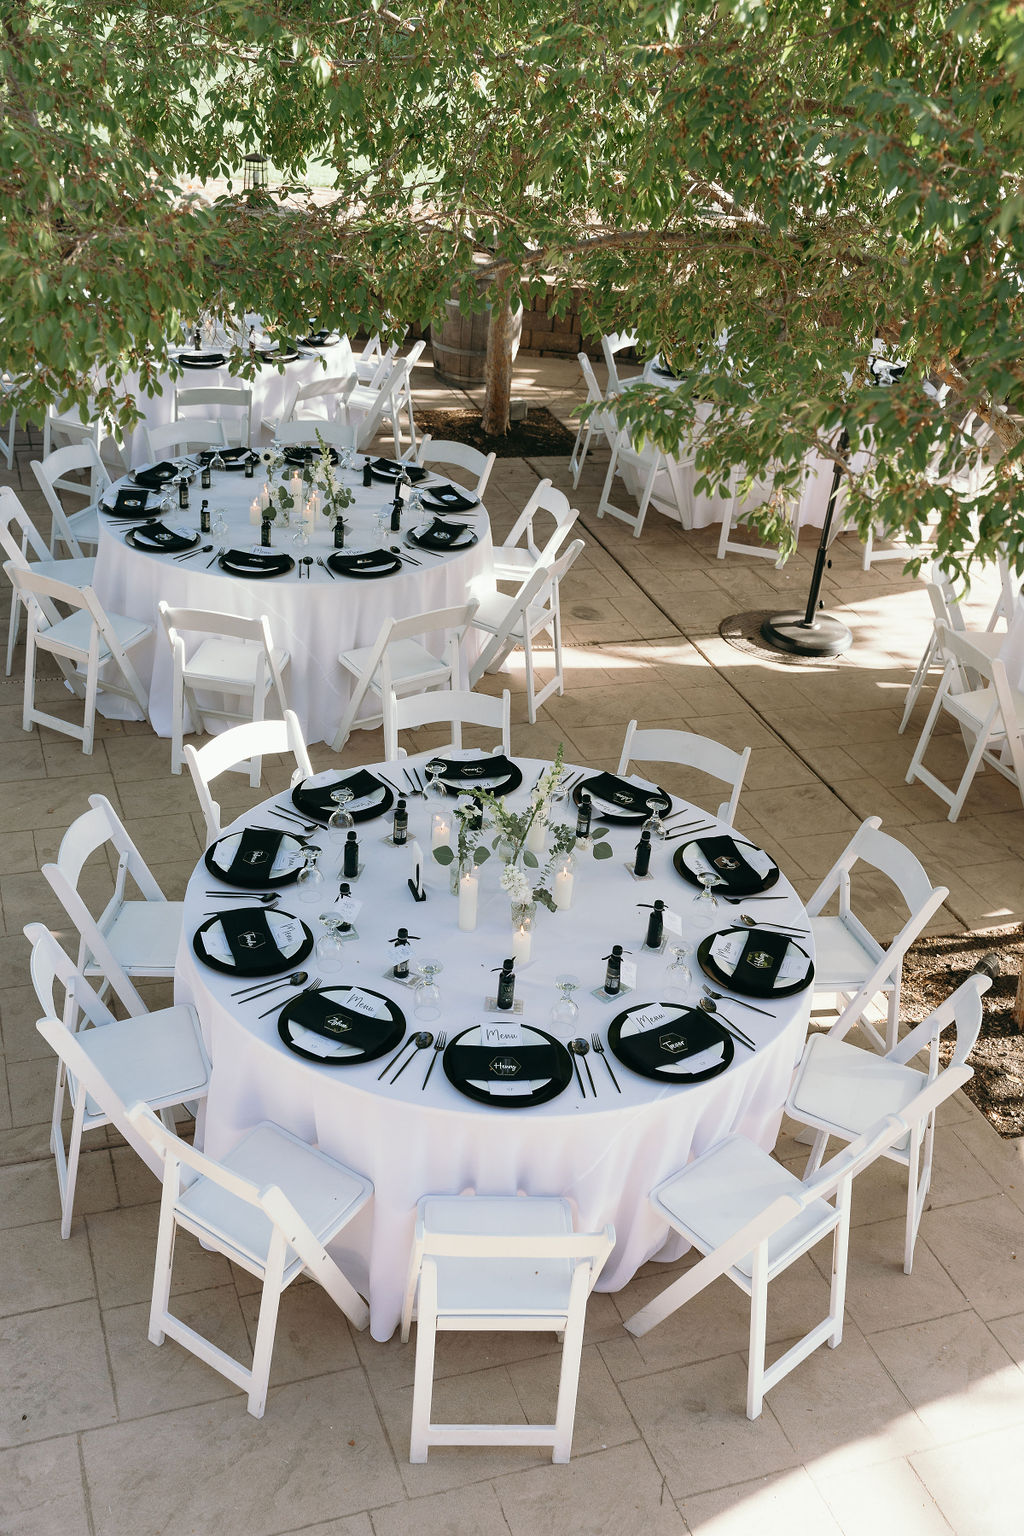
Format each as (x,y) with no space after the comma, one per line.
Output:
(400,664)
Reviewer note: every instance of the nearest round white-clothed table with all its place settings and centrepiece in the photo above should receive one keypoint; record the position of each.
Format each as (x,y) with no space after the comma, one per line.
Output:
(448,970)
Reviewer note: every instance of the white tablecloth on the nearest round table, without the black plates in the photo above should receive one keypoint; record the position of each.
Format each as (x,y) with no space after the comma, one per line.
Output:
(606,1153)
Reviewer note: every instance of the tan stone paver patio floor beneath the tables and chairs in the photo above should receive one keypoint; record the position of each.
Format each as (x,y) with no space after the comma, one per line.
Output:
(916,1425)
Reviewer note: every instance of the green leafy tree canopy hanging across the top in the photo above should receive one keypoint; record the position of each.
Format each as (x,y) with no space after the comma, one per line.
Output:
(762,191)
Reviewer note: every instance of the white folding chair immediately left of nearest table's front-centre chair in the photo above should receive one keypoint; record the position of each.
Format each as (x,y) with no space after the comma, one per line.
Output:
(271,1207)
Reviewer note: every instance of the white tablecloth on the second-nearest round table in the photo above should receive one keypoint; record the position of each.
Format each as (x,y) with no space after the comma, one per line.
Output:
(314,620)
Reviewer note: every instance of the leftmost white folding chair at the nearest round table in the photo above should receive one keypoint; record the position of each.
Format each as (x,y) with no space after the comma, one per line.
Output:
(154,1058)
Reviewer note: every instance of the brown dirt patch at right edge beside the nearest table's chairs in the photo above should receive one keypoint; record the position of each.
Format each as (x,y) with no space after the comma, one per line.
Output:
(933,970)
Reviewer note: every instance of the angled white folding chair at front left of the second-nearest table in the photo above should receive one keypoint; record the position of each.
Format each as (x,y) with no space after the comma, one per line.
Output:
(81,644)
